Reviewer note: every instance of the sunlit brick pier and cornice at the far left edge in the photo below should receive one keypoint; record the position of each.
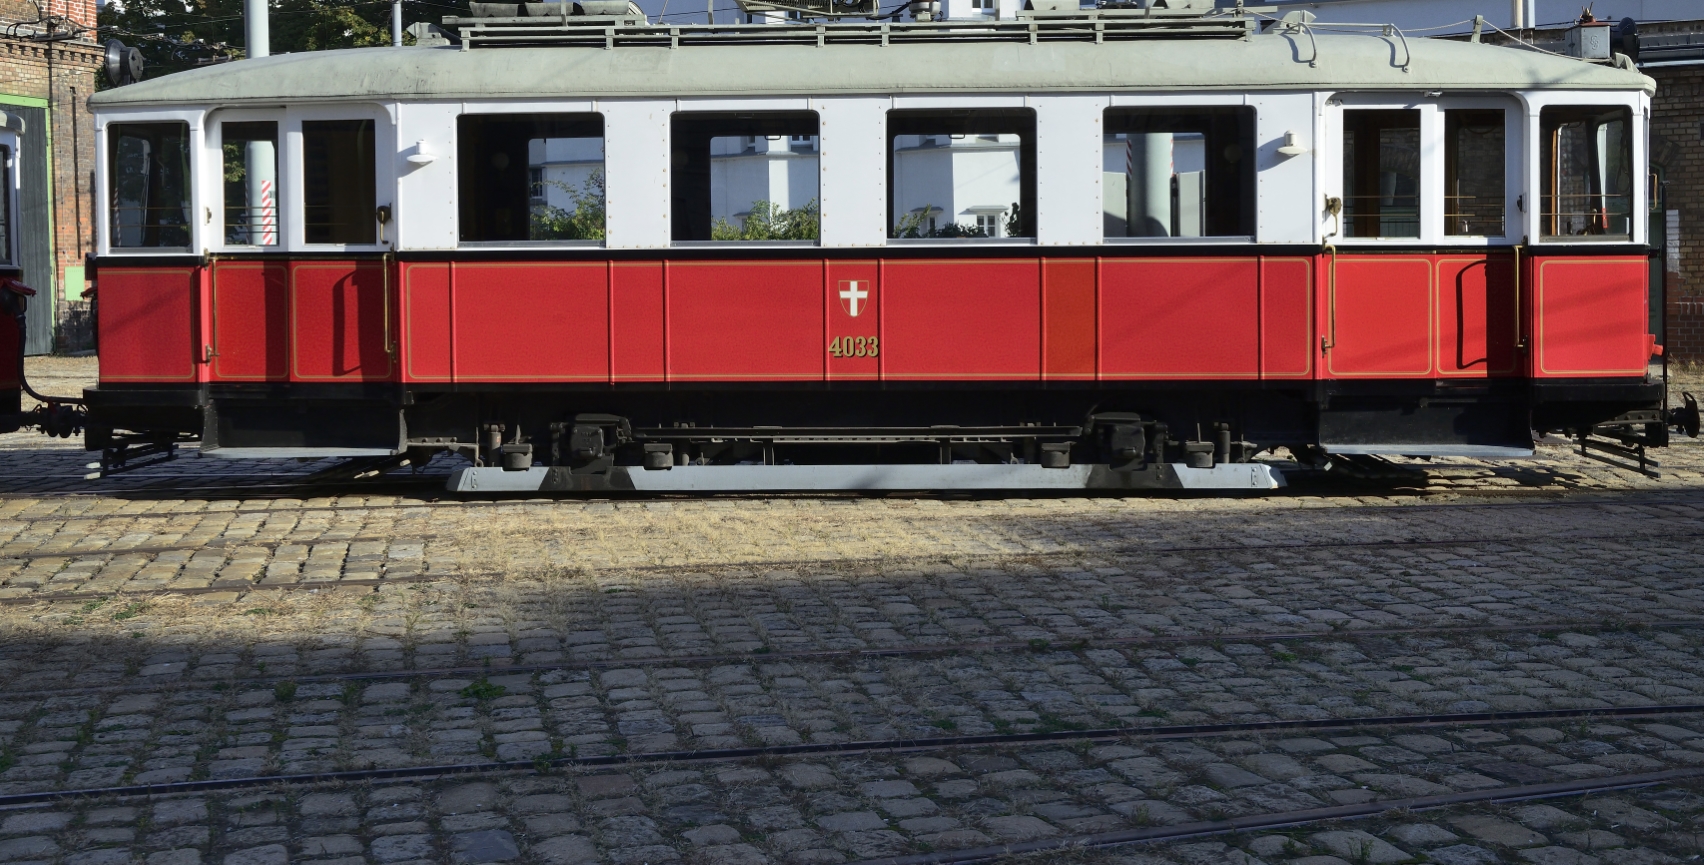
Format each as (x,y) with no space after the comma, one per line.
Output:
(66,79)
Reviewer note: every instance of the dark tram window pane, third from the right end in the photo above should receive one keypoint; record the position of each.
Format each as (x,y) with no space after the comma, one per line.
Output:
(1381,173)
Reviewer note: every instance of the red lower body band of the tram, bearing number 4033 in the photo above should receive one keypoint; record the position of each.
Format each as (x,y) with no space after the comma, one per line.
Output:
(1010,319)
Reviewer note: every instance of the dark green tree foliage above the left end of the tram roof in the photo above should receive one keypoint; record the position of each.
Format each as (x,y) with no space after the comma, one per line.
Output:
(183,35)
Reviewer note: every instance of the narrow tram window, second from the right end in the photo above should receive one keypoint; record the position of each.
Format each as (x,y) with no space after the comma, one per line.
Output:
(1473,169)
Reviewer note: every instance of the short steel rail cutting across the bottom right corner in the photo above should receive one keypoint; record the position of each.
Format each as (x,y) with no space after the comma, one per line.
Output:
(1298,818)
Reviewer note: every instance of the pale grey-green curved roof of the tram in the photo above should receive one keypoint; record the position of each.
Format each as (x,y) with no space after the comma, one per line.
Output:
(1262,62)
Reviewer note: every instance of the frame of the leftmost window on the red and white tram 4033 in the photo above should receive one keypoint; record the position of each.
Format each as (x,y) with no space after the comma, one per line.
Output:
(159,176)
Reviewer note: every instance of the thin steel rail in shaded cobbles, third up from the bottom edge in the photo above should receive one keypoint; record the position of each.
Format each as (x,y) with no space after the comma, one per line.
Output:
(892,651)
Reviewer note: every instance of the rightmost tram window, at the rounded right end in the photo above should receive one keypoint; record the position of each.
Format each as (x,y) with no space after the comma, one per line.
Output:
(1587,173)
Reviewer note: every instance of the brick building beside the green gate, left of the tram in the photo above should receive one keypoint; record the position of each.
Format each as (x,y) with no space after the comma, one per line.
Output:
(49,66)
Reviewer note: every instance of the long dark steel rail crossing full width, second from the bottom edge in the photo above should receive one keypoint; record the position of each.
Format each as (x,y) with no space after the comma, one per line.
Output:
(727,755)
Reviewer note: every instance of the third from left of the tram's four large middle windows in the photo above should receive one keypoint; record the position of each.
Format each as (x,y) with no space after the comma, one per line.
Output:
(962,175)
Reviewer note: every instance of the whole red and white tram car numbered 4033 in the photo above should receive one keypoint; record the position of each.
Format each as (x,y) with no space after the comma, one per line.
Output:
(1386,246)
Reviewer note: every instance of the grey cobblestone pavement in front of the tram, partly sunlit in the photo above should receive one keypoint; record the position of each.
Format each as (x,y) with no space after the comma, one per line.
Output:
(156,631)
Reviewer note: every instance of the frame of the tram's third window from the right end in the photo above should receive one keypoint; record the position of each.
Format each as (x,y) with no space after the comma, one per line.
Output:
(1367,118)
